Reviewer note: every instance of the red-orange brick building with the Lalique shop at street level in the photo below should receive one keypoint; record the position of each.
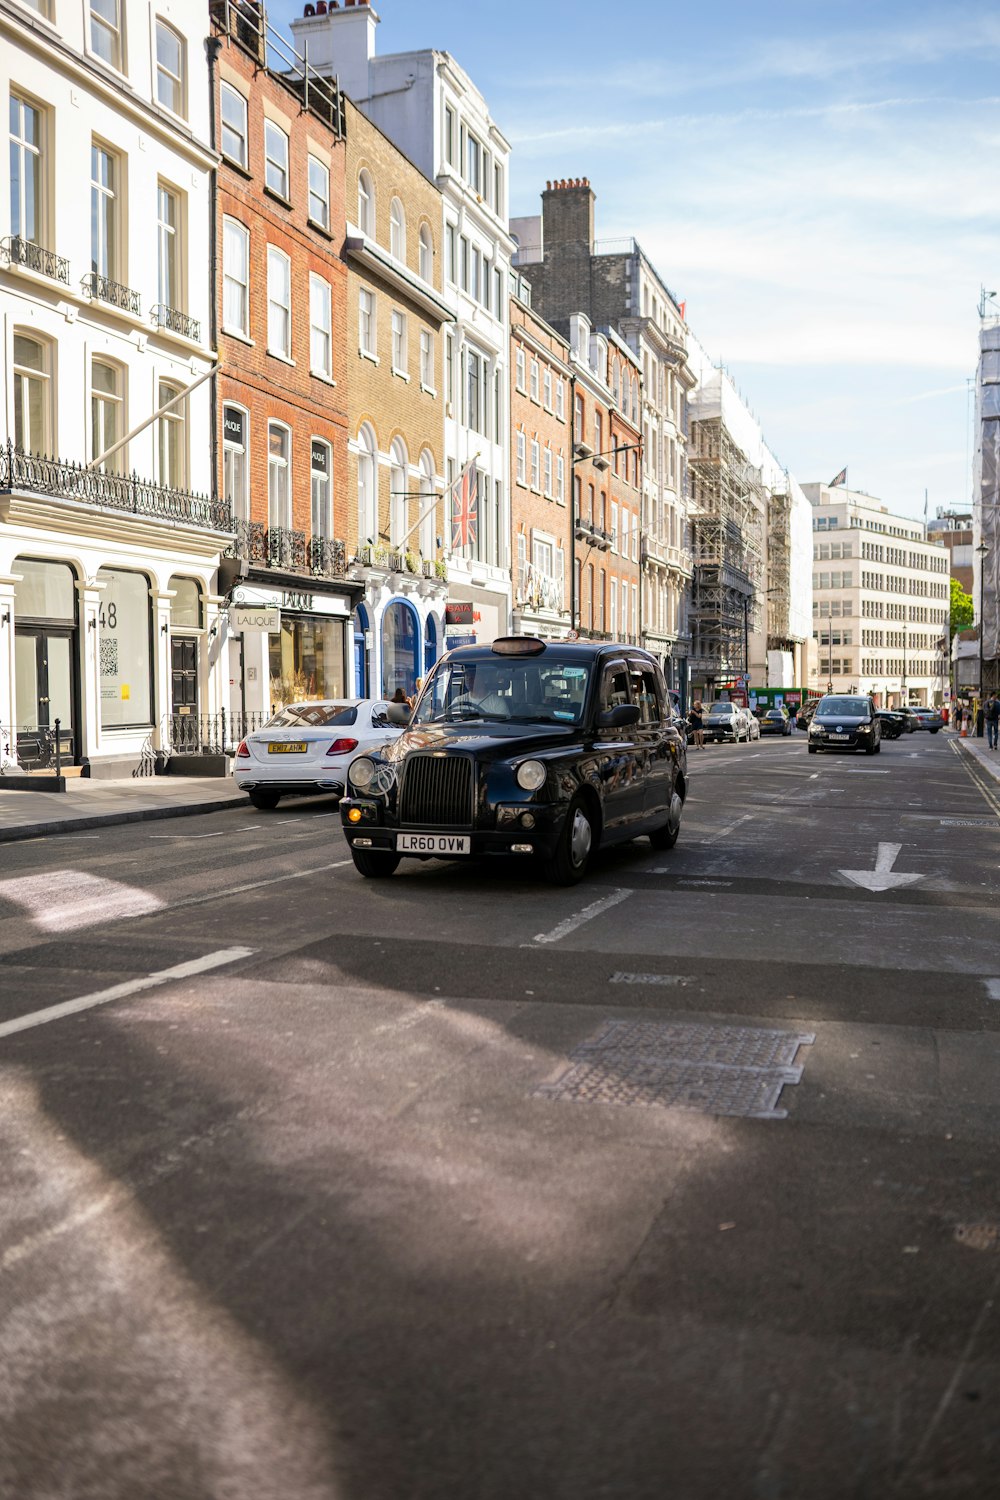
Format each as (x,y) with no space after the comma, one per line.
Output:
(281,310)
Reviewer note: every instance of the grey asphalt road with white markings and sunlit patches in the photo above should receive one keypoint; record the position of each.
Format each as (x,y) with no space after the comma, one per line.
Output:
(383,1195)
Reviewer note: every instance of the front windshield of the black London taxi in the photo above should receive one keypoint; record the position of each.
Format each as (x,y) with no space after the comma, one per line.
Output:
(548,692)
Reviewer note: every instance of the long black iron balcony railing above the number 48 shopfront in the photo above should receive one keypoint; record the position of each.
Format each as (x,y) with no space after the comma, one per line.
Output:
(44,476)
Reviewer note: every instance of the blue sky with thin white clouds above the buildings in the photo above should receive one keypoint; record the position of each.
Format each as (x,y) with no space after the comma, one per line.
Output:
(818,184)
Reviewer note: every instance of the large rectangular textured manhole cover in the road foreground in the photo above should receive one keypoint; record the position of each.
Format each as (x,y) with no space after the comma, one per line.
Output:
(714,1070)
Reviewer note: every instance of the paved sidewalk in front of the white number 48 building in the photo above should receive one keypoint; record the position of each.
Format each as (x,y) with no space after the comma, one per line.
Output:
(94,805)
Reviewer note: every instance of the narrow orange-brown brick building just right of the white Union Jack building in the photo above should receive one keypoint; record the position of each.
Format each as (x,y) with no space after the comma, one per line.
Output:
(540,467)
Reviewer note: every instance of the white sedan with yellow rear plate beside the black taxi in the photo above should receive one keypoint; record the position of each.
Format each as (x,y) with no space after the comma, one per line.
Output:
(307,748)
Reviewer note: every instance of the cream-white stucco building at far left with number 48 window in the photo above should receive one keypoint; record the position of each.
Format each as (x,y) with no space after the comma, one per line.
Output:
(109,608)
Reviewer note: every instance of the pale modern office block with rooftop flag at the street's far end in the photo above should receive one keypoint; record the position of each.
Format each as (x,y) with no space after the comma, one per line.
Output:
(881,601)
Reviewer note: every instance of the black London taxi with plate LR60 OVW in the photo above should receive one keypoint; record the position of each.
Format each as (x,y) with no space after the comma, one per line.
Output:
(524,748)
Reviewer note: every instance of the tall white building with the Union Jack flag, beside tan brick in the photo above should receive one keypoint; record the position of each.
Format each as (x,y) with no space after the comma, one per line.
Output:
(430,107)
